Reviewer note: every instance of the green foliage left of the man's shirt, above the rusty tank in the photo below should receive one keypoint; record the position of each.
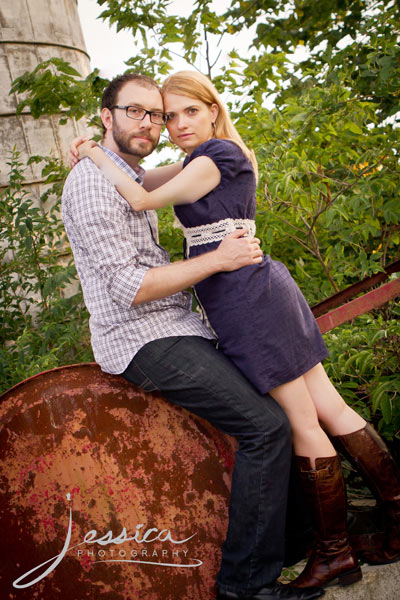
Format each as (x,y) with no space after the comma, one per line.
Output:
(42,326)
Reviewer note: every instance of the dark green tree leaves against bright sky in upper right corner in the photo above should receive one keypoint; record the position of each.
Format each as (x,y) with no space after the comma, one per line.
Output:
(356,39)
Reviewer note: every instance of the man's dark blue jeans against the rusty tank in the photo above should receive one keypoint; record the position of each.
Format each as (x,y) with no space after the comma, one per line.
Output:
(190,372)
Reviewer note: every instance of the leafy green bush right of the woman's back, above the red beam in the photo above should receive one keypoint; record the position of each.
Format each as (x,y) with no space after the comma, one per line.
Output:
(330,185)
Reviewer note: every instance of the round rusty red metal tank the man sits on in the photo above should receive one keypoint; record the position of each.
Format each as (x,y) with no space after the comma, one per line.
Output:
(131,464)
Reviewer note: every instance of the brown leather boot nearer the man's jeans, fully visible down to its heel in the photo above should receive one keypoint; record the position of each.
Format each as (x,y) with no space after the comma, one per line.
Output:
(332,559)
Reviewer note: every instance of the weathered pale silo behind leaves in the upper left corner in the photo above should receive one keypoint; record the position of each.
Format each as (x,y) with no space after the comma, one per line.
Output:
(33,31)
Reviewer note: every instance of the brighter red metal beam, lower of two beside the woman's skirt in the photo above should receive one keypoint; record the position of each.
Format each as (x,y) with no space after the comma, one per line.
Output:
(359,306)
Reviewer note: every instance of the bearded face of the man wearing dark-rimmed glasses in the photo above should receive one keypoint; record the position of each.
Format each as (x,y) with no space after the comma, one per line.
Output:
(132,137)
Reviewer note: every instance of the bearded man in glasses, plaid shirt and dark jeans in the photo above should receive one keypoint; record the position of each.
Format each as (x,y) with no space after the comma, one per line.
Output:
(143,328)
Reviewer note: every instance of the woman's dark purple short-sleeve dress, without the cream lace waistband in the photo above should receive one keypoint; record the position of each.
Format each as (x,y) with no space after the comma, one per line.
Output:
(262,320)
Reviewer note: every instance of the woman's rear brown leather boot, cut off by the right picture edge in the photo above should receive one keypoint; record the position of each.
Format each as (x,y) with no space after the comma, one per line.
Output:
(369,454)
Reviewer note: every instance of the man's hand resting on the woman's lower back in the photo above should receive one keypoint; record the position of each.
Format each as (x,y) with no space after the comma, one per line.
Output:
(236,251)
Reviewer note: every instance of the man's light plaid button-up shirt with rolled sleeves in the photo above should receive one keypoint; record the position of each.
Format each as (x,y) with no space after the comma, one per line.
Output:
(113,247)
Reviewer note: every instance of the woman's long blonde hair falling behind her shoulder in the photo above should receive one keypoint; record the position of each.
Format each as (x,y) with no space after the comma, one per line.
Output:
(198,86)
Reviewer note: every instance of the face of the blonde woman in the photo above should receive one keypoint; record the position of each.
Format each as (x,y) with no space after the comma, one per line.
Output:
(189,121)
